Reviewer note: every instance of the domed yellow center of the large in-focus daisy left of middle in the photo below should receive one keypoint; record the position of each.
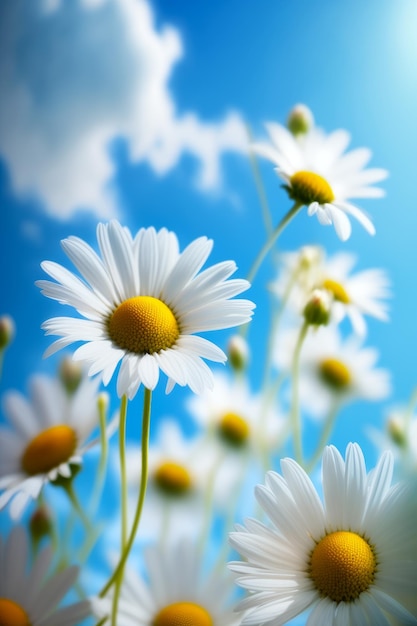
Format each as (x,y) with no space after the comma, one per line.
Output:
(143,325)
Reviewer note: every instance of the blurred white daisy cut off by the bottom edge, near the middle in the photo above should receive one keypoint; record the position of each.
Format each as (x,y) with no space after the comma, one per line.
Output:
(175,592)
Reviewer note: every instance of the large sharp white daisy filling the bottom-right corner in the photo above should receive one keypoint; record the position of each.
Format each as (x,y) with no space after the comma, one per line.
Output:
(350,560)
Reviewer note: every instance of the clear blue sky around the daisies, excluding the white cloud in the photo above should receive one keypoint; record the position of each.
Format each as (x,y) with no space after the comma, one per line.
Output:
(354,64)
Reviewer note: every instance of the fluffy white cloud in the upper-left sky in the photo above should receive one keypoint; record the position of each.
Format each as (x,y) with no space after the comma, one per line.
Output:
(75,75)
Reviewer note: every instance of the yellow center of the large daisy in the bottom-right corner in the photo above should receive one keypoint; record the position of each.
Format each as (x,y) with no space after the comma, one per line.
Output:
(342,566)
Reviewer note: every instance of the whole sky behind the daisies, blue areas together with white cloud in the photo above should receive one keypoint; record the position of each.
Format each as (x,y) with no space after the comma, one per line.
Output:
(138,110)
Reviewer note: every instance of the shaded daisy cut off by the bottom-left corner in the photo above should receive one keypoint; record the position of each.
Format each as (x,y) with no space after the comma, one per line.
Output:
(30,598)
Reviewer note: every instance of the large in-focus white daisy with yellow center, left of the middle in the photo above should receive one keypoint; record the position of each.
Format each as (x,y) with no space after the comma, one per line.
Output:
(143,302)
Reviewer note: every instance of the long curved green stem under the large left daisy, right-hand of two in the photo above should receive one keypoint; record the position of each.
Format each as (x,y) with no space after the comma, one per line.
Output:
(143,482)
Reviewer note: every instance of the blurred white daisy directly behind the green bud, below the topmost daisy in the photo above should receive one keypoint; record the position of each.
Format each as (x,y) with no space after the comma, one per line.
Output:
(354,295)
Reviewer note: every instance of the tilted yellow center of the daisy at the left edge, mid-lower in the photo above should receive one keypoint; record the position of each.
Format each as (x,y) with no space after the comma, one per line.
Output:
(48,449)
